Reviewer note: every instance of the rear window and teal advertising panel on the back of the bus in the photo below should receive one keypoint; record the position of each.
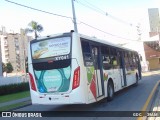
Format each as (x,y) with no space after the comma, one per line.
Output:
(52,64)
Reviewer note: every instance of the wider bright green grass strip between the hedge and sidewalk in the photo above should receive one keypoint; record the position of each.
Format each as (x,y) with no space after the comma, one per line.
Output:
(14,96)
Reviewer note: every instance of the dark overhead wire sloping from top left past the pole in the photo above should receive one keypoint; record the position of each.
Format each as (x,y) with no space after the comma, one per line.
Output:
(80,22)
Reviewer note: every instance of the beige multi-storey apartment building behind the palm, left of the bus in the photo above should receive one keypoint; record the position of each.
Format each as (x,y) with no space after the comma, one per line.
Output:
(14,49)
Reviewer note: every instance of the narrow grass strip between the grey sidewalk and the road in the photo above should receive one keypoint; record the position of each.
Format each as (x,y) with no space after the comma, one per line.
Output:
(10,107)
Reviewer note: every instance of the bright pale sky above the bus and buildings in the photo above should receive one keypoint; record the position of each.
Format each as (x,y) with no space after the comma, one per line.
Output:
(121,21)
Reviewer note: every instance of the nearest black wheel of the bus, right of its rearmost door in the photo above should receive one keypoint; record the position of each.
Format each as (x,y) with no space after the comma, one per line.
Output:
(110,91)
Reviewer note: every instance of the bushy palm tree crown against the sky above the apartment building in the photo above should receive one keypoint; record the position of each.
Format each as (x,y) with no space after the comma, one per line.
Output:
(33,26)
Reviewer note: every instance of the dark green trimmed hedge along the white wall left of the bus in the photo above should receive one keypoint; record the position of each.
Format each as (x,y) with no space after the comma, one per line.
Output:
(14,88)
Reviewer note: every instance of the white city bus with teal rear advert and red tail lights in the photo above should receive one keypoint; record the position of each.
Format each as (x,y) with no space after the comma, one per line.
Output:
(72,68)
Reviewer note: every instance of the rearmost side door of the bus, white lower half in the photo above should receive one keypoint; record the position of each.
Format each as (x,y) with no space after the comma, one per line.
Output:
(98,71)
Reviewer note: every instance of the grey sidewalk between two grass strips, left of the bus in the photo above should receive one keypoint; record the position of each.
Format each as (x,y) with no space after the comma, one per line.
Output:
(15,101)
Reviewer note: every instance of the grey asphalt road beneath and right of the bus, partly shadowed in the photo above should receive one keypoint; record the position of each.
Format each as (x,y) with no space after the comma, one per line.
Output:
(130,99)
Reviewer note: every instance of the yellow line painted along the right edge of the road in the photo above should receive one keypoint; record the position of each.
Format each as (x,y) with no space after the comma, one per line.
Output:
(149,99)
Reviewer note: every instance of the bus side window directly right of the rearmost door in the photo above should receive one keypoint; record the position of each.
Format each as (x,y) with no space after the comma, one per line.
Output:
(106,58)
